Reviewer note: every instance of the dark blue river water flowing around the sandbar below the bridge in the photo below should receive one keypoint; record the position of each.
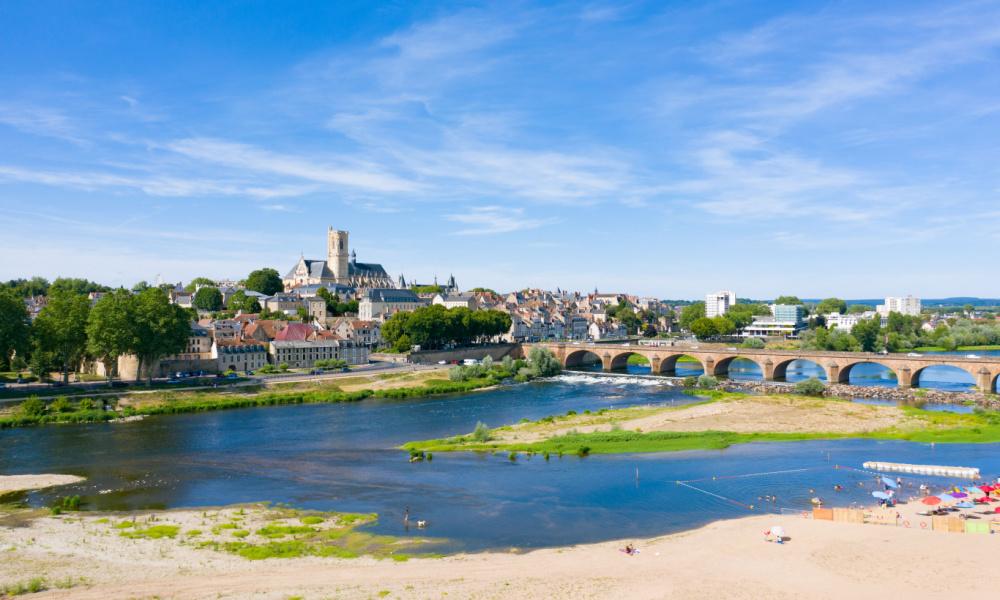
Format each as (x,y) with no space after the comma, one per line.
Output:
(343,457)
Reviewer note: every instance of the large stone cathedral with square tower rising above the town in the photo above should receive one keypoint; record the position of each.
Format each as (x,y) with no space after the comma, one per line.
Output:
(340,267)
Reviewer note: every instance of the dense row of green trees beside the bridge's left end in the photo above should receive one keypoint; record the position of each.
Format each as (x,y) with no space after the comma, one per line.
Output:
(435,326)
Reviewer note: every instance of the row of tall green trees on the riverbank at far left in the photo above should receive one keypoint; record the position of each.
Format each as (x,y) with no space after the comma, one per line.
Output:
(68,330)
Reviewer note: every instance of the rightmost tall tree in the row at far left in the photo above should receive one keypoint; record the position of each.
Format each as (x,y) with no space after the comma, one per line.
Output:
(161,328)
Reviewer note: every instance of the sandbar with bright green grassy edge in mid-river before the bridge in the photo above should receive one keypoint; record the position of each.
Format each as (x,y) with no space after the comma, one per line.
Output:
(719,420)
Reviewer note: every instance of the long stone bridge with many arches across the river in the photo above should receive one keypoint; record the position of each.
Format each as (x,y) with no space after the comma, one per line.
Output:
(773,363)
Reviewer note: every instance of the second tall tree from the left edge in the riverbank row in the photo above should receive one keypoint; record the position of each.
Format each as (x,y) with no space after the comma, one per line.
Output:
(61,329)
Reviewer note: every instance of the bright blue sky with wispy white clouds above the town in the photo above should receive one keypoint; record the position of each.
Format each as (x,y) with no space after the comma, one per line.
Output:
(661,148)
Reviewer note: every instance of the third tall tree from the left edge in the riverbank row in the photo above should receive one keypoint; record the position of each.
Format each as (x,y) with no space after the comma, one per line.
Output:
(111,328)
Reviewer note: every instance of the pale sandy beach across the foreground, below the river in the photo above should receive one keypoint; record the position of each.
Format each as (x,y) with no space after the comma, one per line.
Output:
(726,559)
